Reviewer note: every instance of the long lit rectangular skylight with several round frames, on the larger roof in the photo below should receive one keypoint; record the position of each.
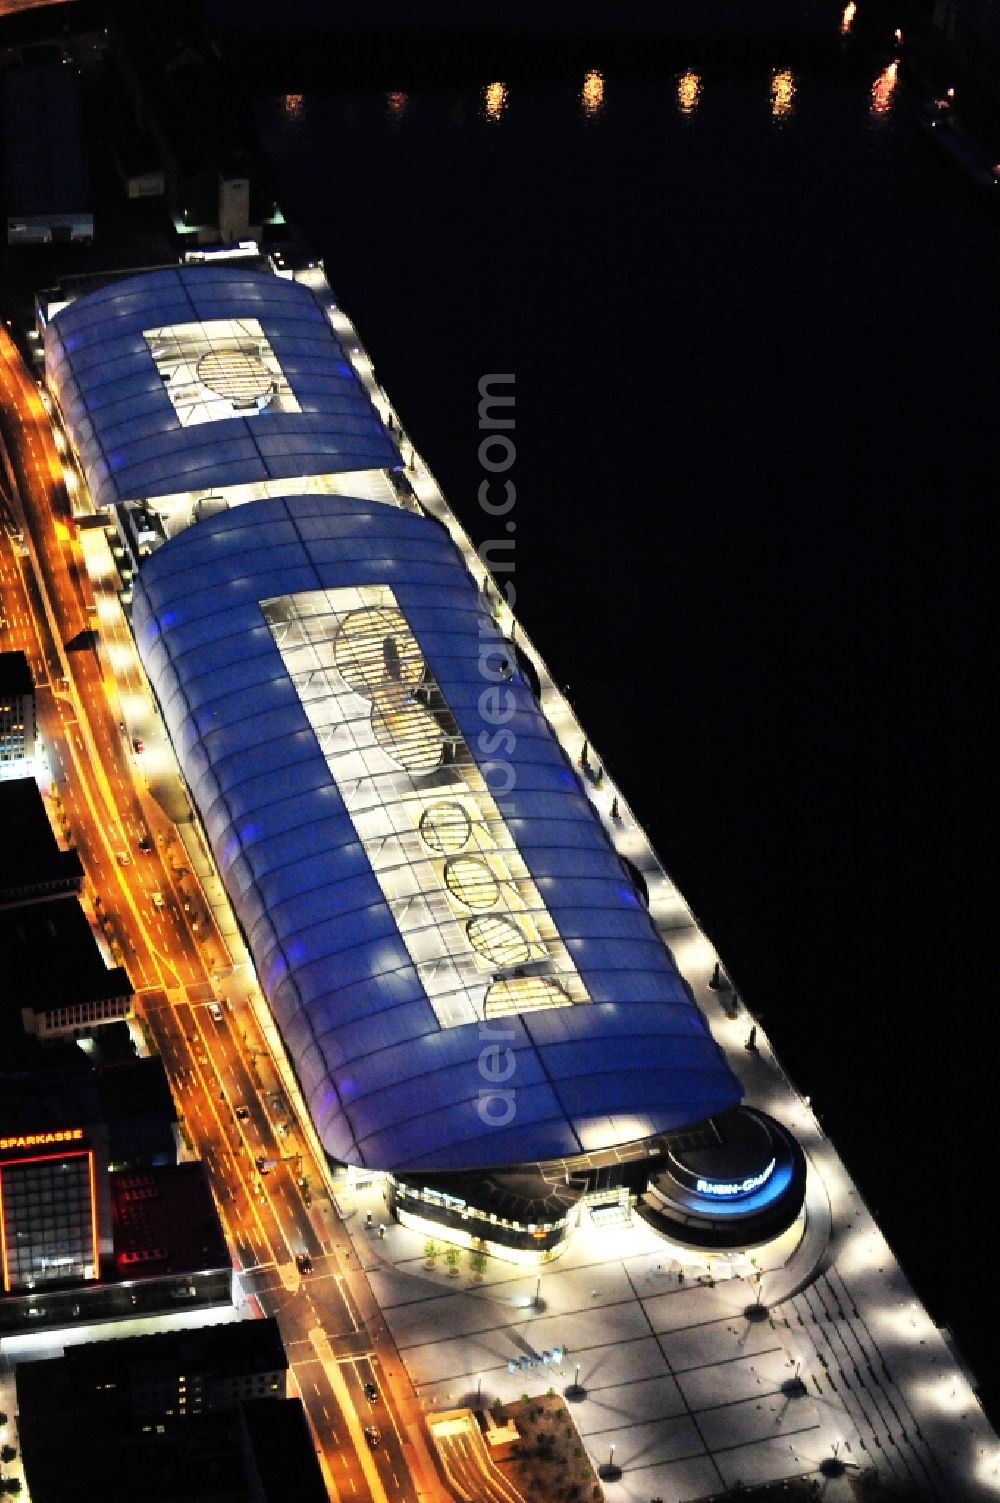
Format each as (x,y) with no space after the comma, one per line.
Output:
(464,901)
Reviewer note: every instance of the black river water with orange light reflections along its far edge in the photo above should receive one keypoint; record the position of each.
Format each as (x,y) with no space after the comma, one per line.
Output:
(754,324)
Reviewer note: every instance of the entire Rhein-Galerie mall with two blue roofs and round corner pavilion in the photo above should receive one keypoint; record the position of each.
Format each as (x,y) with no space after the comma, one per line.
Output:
(467,981)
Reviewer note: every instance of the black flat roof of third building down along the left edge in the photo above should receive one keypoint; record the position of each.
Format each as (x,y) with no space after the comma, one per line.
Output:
(52,958)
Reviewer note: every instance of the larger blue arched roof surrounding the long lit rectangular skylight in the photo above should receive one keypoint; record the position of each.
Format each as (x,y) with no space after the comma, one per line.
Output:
(389,1086)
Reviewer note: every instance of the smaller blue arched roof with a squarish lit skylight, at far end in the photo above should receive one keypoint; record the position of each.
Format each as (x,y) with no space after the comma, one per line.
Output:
(118,401)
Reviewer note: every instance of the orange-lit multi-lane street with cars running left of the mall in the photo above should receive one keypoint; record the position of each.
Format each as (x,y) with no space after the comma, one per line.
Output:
(214,1066)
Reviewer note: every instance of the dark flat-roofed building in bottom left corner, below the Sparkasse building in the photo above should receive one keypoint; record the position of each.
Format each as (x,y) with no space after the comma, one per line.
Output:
(171,1418)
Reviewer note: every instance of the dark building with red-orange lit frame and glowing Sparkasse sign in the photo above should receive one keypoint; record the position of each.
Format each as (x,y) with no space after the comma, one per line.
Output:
(98,1221)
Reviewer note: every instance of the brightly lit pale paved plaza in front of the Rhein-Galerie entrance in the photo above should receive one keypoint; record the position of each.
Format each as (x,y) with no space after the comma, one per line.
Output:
(692,1394)
